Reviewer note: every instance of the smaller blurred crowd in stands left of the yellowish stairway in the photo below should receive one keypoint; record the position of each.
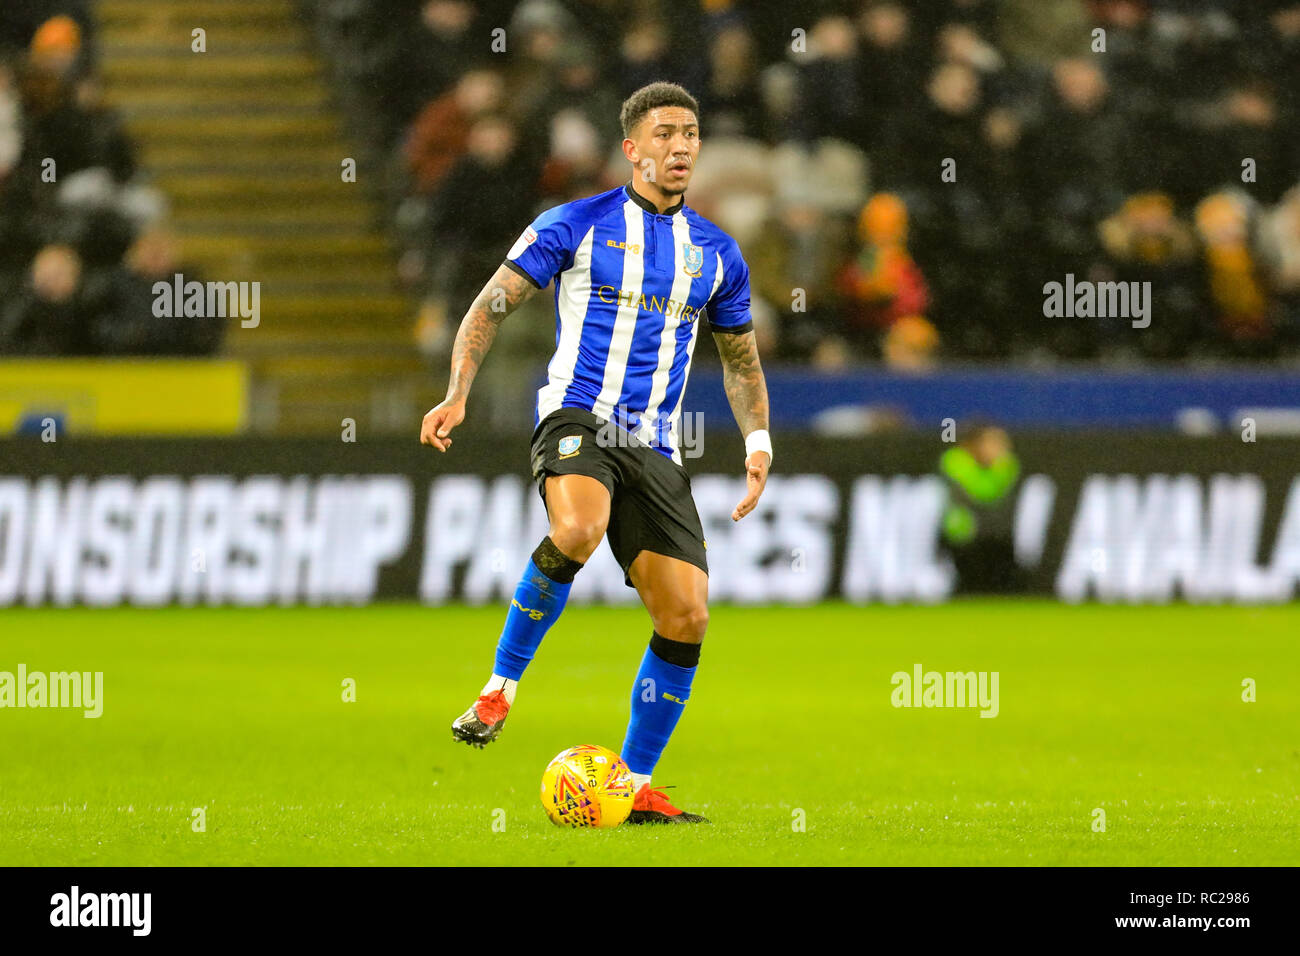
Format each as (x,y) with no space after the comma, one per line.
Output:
(83,237)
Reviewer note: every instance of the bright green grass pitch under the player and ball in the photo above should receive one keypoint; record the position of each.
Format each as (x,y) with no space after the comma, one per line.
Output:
(1136,711)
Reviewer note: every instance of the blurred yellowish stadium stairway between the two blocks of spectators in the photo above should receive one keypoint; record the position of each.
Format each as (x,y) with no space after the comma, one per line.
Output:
(248,145)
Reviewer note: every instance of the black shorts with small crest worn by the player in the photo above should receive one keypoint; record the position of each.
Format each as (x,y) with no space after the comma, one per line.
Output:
(651,504)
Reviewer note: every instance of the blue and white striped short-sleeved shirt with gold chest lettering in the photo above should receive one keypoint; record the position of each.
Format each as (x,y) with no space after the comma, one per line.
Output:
(631,284)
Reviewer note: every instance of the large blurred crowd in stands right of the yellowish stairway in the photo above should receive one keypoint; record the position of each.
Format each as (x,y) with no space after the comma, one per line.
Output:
(1171,154)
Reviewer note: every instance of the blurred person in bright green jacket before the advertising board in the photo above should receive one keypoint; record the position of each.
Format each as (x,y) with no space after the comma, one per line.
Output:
(981,475)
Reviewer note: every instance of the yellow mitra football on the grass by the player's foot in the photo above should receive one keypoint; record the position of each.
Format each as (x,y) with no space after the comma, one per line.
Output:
(588,786)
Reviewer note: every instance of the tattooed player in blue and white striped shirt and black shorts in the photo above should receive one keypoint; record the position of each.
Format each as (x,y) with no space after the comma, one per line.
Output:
(636,274)
